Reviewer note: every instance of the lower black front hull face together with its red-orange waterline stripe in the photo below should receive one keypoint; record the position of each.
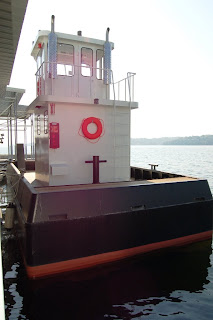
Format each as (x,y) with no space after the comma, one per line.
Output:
(89,237)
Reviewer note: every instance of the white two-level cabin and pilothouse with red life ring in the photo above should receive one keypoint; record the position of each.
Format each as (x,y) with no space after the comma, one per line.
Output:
(79,111)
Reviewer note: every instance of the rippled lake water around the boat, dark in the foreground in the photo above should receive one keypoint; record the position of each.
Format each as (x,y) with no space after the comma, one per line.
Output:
(177,285)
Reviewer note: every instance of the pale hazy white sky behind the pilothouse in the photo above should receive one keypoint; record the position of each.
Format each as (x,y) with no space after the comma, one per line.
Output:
(168,43)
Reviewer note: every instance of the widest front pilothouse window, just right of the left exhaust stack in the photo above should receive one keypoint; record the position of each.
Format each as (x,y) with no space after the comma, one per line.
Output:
(65,60)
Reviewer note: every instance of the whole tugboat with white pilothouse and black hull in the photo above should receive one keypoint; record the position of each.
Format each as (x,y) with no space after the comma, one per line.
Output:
(80,204)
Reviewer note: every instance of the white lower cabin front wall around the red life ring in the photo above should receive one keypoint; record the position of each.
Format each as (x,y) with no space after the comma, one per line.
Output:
(75,149)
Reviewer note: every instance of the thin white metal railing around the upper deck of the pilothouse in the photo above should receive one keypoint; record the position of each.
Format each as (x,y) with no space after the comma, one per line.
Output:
(122,90)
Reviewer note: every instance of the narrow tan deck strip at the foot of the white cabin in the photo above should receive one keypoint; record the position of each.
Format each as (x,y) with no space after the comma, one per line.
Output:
(30,176)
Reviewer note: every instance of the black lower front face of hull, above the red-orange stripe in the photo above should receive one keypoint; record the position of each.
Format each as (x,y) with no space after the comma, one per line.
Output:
(55,241)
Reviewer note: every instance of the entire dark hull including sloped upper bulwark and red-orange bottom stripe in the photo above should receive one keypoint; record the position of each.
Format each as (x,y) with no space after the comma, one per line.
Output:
(157,216)
